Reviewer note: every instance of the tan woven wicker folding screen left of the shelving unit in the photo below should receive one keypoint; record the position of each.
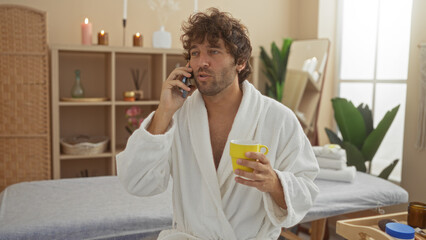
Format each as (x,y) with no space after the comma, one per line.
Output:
(25,153)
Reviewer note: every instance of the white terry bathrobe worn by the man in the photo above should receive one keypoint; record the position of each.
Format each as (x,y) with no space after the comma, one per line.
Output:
(209,204)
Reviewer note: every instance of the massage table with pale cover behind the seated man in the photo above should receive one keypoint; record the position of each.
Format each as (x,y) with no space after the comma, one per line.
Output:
(99,207)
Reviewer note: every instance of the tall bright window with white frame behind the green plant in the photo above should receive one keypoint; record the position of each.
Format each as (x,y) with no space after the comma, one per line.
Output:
(374,37)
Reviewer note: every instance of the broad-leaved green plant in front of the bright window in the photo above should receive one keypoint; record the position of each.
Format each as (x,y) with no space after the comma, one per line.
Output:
(360,139)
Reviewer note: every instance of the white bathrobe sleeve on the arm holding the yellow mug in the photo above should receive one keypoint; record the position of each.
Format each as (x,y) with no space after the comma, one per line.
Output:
(296,167)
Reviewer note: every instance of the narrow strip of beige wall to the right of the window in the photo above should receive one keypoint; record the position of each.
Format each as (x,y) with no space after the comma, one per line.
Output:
(414,162)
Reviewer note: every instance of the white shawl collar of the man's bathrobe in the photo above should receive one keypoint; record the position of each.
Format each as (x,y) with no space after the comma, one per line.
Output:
(243,127)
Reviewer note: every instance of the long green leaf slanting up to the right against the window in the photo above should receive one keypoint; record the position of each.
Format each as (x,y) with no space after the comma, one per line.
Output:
(373,141)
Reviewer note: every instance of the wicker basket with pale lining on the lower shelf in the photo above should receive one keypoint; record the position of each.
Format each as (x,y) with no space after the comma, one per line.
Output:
(84,145)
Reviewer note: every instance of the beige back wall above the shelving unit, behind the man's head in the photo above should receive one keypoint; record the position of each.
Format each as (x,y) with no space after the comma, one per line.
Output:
(266,22)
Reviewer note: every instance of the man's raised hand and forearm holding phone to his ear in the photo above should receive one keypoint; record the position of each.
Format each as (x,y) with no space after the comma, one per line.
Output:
(172,98)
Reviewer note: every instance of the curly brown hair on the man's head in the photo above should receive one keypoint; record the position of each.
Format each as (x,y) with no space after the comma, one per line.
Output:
(214,25)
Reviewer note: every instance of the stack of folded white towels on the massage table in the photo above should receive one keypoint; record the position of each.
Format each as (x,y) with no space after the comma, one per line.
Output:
(332,162)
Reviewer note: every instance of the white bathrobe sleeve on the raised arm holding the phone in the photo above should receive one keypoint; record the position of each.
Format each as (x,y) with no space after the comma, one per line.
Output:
(144,166)
